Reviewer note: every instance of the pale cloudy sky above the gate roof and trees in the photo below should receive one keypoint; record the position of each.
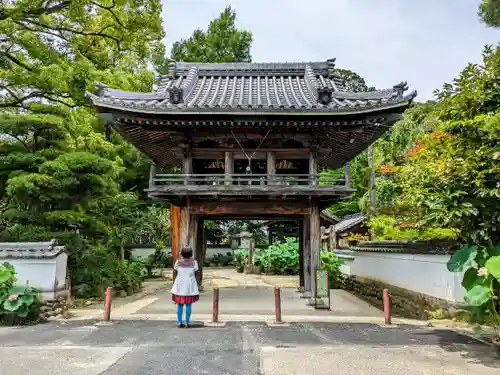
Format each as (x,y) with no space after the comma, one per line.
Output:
(424,42)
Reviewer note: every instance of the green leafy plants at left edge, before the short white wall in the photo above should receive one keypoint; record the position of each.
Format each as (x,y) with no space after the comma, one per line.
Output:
(18,305)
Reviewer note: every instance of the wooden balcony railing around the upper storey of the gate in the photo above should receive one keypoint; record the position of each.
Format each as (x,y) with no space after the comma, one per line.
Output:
(305,180)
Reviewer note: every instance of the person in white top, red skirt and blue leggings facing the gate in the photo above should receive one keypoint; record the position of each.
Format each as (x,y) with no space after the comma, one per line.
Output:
(185,289)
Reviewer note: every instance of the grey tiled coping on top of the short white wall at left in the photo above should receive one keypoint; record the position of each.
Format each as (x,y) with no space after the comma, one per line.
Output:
(36,250)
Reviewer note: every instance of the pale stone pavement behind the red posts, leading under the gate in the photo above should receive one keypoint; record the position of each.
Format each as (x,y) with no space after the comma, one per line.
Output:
(245,298)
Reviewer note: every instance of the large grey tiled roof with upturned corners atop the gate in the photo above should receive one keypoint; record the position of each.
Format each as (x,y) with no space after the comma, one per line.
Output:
(312,87)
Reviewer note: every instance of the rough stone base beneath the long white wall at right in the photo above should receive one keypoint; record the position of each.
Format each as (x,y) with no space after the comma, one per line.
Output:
(405,303)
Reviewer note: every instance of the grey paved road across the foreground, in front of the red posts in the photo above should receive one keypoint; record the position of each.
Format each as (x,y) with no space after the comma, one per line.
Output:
(148,347)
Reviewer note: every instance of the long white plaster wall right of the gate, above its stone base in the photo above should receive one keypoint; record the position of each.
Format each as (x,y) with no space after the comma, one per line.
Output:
(421,273)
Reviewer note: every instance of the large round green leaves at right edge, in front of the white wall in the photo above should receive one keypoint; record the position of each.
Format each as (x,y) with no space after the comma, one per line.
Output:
(481,267)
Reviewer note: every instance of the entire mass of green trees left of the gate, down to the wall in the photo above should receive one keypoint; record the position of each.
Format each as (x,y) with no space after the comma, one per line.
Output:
(59,177)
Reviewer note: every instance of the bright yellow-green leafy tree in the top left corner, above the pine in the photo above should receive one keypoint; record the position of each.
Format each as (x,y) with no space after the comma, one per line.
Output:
(54,51)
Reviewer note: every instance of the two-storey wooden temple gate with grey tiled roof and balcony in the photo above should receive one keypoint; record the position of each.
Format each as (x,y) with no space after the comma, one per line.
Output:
(251,141)
